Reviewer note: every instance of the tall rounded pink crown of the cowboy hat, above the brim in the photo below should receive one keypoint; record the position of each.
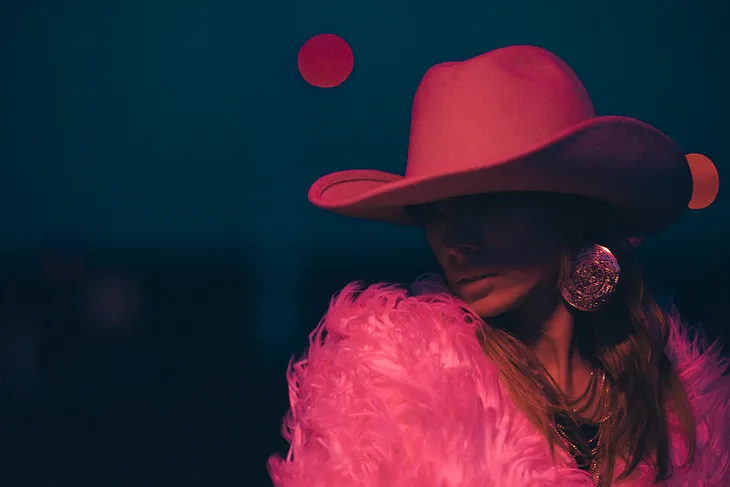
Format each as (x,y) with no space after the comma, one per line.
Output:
(492,107)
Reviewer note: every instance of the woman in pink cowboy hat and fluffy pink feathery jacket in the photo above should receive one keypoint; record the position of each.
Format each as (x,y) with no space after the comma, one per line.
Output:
(539,359)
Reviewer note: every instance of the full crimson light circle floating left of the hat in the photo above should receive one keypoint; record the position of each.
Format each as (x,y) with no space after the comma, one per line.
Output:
(325,60)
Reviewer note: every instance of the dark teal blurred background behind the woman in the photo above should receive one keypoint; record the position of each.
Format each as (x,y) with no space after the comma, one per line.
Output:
(171,144)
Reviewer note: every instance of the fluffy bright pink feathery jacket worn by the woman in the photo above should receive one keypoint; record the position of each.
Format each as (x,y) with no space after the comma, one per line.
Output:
(396,391)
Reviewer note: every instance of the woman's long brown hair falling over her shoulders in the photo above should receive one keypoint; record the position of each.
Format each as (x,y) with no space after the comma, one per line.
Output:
(627,340)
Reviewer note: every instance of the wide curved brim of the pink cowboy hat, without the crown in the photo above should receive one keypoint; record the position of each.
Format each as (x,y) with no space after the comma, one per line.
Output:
(619,160)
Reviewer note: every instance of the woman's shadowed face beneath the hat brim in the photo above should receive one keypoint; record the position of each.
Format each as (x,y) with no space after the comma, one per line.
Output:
(496,251)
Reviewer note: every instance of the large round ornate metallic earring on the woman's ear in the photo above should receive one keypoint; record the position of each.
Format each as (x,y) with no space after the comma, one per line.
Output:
(591,280)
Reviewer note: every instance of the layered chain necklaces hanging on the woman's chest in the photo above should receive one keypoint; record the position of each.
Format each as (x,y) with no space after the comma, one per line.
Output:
(588,452)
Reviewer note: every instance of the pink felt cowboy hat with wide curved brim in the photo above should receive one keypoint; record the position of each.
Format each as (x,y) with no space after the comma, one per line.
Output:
(518,119)
